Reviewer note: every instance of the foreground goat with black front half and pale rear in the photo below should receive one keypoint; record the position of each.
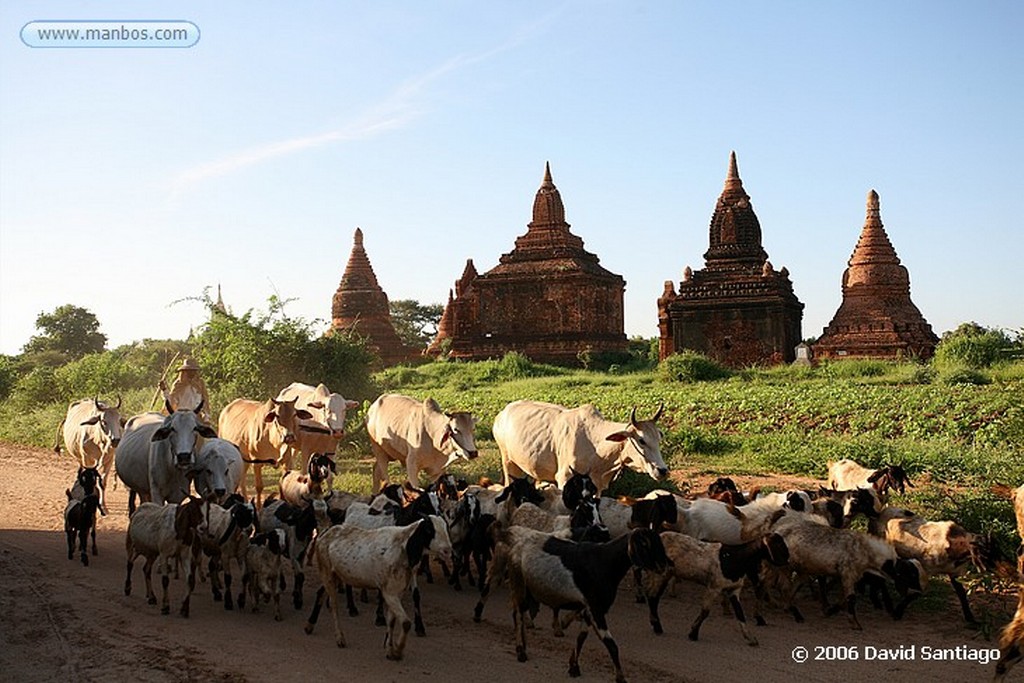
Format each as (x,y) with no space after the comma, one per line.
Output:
(582,577)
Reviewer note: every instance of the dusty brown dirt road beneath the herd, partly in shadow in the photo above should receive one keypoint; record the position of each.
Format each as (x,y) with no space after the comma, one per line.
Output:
(65,622)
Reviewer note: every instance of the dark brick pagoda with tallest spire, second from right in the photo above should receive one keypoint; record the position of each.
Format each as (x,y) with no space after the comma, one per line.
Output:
(739,310)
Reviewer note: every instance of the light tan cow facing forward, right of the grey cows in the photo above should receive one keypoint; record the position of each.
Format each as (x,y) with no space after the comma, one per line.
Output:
(264,432)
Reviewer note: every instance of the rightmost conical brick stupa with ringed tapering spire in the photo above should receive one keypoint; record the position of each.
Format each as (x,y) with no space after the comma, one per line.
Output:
(877,318)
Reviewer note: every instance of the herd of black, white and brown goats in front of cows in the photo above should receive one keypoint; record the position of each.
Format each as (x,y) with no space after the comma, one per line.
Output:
(569,549)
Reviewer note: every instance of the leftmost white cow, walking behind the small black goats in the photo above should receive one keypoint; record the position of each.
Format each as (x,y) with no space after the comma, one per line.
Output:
(92,433)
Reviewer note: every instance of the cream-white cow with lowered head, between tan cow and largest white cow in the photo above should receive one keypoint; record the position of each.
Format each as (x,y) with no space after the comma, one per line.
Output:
(417,435)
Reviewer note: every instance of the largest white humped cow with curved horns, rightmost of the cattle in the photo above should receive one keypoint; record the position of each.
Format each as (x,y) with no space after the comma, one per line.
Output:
(550,443)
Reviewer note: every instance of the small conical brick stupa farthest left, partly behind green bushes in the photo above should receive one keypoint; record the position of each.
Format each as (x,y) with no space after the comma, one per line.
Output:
(361,306)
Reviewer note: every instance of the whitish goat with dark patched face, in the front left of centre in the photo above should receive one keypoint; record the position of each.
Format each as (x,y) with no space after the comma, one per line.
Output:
(381,559)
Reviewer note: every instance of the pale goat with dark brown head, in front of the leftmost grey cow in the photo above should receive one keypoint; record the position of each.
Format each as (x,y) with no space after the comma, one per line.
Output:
(165,533)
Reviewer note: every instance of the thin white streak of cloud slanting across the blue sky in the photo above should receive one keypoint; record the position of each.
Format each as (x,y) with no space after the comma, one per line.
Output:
(394,112)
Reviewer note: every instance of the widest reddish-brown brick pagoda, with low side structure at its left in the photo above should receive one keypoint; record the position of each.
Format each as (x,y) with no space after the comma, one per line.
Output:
(548,298)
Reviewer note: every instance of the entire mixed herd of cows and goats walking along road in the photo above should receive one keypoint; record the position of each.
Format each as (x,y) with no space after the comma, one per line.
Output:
(548,533)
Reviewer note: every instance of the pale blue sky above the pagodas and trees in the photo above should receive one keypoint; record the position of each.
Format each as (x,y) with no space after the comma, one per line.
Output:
(133,180)
